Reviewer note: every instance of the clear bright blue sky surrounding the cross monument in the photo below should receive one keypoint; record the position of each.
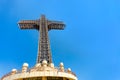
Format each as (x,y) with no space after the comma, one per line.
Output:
(89,45)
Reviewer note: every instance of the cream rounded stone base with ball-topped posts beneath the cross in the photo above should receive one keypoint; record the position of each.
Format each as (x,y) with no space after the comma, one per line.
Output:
(41,71)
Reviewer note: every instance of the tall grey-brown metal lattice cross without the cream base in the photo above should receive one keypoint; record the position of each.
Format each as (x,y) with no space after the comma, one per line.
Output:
(43,26)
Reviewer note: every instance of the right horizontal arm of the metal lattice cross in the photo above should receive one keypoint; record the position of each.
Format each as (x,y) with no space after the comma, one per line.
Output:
(56,25)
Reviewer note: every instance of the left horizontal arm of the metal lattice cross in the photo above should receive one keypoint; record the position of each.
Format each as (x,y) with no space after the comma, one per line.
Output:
(29,24)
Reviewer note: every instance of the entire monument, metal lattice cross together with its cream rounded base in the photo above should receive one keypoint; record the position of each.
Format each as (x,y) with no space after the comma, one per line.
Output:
(44,69)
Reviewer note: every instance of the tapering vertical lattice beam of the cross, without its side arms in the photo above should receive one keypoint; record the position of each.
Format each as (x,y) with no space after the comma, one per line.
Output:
(44,46)
